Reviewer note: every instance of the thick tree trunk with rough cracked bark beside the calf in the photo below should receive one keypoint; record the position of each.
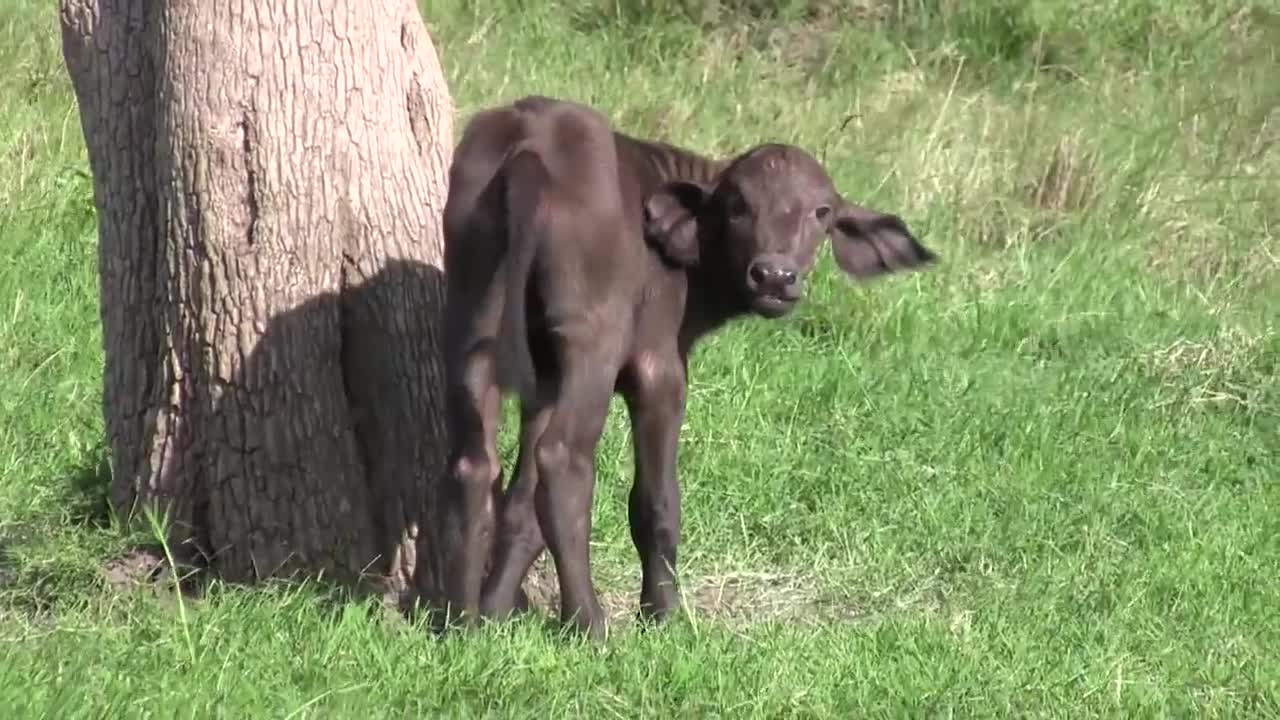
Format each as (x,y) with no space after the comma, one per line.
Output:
(269,179)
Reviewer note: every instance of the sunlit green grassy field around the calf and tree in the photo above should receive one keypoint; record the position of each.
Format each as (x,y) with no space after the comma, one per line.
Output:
(1039,480)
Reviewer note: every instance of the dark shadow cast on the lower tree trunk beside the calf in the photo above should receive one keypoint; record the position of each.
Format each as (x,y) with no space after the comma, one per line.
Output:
(321,454)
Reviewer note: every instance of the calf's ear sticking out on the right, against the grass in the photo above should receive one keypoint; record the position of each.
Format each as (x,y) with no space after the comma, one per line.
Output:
(868,244)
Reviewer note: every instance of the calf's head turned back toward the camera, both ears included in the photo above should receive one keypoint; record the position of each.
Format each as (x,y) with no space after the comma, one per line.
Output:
(757,229)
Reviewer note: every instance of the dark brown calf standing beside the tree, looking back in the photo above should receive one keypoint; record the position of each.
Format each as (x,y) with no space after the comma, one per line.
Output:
(580,263)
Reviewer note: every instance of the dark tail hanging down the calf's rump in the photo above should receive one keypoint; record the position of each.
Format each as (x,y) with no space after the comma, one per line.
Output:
(525,179)
